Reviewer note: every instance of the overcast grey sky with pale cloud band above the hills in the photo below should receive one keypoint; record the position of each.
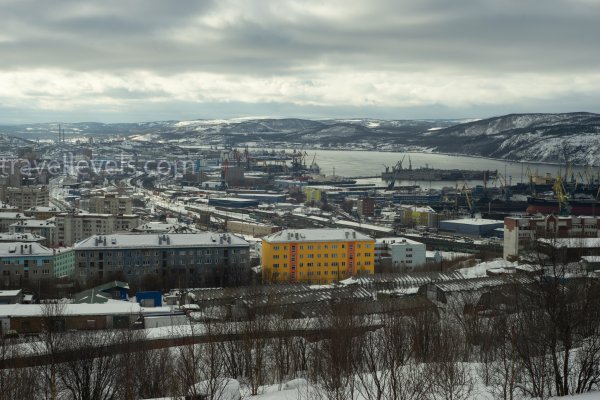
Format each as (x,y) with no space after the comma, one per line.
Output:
(144,60)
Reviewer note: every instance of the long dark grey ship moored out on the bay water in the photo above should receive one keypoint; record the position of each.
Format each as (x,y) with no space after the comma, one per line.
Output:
(398,173)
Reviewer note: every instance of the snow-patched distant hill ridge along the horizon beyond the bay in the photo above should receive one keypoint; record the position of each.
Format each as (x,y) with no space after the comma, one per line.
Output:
(559,137)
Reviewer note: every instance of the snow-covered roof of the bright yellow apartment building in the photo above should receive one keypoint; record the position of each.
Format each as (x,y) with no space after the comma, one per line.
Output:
(315,235)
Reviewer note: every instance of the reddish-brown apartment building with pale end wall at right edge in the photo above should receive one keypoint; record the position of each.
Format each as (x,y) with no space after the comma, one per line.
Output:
(520,233)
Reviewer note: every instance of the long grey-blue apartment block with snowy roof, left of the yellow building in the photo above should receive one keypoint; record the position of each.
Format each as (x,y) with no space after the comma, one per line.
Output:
(185,259)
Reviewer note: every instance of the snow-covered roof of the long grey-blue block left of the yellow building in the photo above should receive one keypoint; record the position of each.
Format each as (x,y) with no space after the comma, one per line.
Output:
(161,240)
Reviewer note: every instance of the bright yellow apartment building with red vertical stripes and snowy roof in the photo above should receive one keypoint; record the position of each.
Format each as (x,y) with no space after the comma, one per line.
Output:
(316,256)
